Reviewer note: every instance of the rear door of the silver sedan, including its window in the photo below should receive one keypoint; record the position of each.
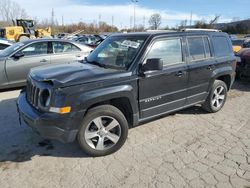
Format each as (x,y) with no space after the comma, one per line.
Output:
(64,52)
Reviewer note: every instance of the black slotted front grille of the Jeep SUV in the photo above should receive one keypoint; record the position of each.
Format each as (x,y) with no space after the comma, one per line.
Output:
(33,94)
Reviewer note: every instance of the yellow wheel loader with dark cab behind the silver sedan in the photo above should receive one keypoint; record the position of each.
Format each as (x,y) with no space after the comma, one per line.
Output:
(24,29)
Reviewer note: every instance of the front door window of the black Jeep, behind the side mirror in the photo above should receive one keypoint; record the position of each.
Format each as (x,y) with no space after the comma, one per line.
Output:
(169,51)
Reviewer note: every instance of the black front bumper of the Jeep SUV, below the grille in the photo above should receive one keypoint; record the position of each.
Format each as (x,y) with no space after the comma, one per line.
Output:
(49,125)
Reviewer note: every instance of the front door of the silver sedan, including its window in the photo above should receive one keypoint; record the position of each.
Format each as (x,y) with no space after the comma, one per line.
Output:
(35,54)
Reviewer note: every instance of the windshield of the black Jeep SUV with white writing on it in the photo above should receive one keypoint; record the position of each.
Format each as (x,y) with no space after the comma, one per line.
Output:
(116,52)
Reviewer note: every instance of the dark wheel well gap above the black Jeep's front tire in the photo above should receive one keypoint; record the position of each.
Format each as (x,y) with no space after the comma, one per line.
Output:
(122,103)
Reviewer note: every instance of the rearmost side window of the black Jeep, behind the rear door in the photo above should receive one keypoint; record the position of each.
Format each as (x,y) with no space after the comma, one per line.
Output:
(221,46)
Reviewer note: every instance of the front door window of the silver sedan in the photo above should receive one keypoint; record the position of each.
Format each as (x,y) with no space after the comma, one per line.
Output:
(36,49)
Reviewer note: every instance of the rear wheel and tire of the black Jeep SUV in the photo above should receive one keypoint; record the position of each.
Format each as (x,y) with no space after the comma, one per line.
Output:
(216,98)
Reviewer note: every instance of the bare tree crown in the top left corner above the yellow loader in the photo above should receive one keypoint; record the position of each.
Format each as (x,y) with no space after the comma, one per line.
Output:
(10,10)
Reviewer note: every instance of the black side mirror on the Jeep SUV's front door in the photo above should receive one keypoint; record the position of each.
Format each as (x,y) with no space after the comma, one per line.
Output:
(154,64)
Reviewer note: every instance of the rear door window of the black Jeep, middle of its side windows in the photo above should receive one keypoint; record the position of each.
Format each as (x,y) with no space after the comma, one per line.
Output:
(199,48)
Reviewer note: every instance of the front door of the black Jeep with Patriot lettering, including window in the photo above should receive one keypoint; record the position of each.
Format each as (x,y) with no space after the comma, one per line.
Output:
(164,91)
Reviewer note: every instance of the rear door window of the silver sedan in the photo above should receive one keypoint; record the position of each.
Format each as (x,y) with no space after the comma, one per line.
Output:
(64,47)
